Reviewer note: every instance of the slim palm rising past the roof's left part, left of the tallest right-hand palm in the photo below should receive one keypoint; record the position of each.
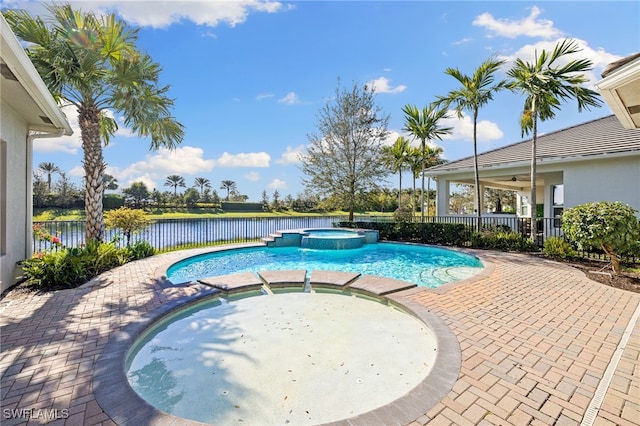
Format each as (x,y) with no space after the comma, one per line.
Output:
(475,91)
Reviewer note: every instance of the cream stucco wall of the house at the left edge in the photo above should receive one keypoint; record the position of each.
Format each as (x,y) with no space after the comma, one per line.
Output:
(13,133)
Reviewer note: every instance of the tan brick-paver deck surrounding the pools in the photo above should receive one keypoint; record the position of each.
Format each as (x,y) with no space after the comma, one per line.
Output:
(540,344)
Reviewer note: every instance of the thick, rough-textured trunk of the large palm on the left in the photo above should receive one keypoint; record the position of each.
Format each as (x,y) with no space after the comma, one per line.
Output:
(93,162)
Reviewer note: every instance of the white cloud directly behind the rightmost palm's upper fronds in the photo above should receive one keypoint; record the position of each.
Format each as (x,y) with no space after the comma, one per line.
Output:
(599,57)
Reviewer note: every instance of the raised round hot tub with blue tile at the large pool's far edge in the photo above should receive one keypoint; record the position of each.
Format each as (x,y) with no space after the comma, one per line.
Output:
(323,238)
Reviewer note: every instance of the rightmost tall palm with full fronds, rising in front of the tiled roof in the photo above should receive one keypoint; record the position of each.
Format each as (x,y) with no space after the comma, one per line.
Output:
(546,83)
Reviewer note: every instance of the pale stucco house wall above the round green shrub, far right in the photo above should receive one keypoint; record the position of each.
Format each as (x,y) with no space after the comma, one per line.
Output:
(615,179)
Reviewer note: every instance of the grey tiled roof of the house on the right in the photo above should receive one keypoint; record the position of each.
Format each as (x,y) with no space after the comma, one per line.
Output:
(603,136)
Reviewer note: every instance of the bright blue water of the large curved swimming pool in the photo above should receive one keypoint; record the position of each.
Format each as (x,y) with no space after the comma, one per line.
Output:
(421,265)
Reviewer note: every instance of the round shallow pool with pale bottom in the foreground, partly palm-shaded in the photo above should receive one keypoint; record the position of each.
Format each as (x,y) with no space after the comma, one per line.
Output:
(293,358)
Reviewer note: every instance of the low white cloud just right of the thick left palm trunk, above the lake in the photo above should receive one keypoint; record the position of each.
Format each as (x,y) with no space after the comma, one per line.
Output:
(186,160)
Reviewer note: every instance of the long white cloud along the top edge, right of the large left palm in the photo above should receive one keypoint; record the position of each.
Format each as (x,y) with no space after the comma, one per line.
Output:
(161,14)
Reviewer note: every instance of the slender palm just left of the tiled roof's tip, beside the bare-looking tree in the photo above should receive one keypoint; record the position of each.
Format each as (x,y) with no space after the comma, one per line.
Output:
(424,125)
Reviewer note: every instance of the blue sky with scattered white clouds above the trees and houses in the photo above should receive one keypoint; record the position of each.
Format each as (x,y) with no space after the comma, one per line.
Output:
(249,77)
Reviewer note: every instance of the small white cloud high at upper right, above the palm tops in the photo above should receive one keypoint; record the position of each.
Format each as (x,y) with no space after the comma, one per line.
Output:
(529,26)
